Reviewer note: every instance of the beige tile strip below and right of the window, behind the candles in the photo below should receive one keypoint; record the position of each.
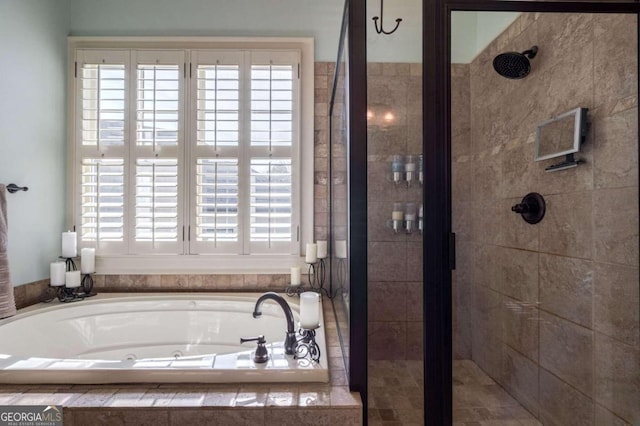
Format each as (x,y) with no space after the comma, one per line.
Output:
(29,294)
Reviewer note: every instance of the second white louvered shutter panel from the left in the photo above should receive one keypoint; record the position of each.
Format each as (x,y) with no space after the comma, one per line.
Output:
(157,154)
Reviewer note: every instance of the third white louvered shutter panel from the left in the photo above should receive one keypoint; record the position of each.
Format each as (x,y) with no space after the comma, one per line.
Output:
(215,154)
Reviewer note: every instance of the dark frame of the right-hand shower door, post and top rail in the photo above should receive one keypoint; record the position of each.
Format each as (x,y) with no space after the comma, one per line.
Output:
(438,241)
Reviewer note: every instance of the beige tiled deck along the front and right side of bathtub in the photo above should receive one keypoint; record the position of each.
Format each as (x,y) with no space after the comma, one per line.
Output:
(200,404)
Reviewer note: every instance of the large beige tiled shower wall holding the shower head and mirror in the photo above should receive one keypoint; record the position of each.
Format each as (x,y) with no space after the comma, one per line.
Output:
(553,307)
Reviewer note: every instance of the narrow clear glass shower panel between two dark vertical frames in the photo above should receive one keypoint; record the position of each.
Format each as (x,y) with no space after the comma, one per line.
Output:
(394,169)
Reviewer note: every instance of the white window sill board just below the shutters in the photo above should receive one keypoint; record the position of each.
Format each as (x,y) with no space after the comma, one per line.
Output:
(196,264)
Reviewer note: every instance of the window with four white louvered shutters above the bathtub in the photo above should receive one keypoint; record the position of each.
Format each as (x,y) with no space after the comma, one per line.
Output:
(191,151)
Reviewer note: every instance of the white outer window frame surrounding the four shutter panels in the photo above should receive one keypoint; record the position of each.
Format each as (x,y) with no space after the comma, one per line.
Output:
(112,263)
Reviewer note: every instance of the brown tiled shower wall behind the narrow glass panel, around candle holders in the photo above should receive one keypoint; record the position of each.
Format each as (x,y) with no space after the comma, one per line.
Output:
(394,260)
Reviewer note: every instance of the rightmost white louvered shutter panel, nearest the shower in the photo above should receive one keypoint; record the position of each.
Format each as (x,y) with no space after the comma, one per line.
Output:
(273,152)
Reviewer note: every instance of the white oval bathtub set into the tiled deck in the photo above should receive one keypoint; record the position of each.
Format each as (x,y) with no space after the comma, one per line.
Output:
(152,338)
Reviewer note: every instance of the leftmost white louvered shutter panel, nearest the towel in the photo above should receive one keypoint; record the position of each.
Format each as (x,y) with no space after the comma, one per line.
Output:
(101,129)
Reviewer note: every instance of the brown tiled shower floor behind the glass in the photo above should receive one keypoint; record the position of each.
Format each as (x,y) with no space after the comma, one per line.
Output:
(396,396)
